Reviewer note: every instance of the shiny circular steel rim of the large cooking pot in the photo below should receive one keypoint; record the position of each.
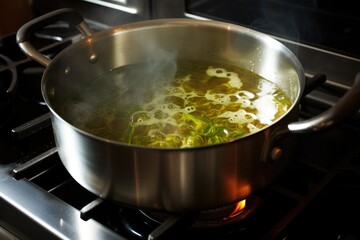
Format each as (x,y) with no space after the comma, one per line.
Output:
(166,23)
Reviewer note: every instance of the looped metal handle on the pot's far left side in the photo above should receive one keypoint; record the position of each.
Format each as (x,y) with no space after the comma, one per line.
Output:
(67,14)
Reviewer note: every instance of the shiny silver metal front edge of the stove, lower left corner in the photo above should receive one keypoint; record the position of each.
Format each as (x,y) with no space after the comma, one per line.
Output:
(19,201)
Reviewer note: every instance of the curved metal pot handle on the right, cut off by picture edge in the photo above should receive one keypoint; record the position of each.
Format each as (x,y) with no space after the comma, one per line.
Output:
(347,105)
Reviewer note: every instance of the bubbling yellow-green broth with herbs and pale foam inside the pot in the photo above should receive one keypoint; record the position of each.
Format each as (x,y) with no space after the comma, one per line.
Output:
(199,103)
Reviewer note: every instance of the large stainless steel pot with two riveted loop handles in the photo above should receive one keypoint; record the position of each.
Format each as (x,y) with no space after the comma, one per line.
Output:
(177,180)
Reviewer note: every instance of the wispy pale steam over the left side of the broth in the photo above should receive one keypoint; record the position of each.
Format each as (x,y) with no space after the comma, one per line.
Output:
(132,87)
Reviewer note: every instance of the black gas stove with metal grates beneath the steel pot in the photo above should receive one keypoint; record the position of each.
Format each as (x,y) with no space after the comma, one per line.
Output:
(316,197)
